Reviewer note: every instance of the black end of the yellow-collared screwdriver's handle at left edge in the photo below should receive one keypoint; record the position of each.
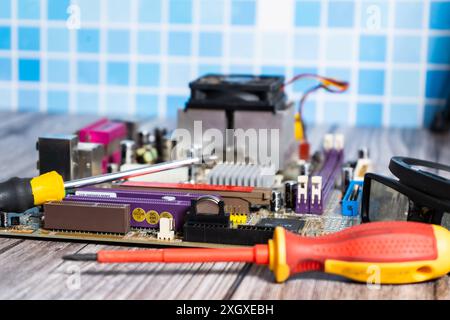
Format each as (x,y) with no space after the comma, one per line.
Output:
(16,195)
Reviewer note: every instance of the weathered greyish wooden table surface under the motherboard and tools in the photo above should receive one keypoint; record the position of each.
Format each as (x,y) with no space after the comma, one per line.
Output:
(34,269)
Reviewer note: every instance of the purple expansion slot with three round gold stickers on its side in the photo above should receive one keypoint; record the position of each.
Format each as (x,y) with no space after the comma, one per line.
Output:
(145,213)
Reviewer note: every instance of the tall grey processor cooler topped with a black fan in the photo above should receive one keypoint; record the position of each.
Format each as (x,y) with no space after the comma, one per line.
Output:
(241,102)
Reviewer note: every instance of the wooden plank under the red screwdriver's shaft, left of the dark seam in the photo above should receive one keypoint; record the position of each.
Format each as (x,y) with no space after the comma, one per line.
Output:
(127,281)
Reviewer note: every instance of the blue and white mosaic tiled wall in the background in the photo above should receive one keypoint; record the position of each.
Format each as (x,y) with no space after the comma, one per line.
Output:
(137,56)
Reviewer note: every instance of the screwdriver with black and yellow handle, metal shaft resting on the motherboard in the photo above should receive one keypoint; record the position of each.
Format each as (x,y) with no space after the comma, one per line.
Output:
(20,194)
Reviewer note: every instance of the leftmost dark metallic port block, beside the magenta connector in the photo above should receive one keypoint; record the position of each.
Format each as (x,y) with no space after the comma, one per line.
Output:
(58,153)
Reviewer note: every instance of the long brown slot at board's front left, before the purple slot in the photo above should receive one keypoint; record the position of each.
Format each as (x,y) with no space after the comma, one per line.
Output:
(92,217)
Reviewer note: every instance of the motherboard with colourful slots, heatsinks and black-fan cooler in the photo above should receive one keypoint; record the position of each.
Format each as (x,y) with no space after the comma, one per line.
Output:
(211,203)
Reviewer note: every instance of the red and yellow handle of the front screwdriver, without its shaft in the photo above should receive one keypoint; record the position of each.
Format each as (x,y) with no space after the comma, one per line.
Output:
(400,252)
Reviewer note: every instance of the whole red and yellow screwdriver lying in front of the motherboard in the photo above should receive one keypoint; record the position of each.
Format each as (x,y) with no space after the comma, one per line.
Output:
(394,251)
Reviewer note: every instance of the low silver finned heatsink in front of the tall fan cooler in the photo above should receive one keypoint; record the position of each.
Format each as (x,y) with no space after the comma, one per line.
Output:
(241,174)
